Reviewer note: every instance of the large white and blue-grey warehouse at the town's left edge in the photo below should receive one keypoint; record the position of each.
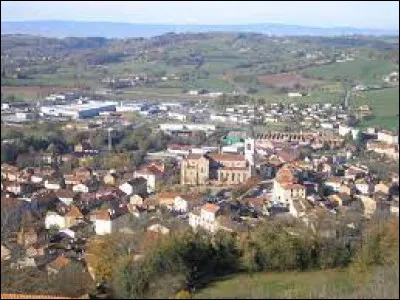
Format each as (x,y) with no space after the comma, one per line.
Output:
(79,111)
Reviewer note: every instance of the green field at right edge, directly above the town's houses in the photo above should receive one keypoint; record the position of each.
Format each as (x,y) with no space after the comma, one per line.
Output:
(384,104)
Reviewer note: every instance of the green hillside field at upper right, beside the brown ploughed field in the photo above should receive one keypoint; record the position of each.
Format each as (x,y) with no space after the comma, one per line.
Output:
(362,70)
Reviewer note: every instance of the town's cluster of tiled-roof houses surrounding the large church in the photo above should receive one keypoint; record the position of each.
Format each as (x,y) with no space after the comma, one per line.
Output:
(230,185)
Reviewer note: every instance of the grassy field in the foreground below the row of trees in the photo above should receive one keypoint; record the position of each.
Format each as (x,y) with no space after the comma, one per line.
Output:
(328,284)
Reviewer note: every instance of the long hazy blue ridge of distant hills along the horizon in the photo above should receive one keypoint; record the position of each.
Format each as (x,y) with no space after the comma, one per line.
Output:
(123,30)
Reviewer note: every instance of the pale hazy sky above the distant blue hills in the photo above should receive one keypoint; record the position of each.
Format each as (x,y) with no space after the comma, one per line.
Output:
(361,14)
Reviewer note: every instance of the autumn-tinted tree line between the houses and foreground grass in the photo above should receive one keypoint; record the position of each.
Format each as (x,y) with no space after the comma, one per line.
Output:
(186,260)
